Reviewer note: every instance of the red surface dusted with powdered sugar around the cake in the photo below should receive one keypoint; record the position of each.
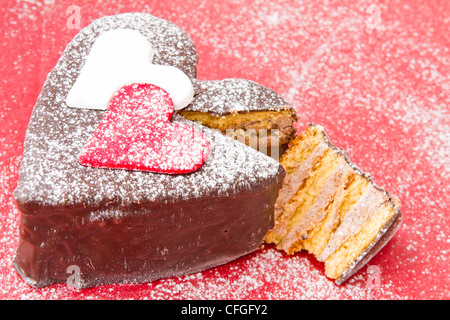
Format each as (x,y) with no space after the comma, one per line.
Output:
(378,84)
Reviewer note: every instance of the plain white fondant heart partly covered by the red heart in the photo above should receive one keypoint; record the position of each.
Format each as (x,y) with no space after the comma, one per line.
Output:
(120,57)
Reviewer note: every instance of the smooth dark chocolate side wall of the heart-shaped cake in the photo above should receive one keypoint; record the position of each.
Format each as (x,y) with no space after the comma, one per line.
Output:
(150,241)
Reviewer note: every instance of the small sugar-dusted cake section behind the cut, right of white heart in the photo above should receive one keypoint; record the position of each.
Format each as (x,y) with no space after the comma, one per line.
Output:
(246,111)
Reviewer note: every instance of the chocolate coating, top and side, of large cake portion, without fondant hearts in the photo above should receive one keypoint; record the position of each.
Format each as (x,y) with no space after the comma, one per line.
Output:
(129,226)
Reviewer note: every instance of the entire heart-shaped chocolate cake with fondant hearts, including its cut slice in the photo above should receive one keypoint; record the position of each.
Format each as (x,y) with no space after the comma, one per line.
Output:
(131,170)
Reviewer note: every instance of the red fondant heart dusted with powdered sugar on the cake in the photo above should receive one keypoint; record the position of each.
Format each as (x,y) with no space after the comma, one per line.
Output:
(136,134)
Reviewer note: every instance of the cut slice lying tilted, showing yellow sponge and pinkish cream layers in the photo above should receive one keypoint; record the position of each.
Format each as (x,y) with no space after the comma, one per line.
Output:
(330,208)
